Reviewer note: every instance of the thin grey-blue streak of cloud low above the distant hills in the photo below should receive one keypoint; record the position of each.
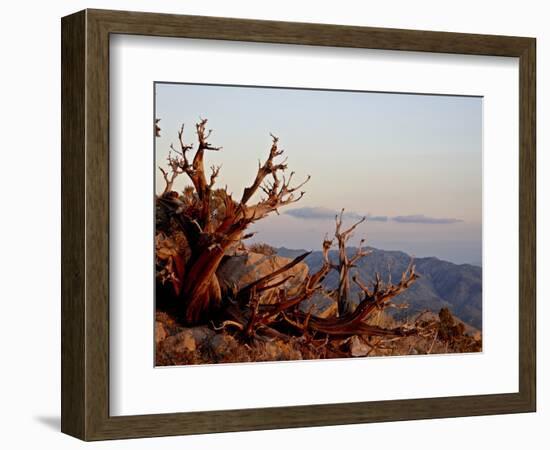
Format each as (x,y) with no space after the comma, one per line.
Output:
(320,213)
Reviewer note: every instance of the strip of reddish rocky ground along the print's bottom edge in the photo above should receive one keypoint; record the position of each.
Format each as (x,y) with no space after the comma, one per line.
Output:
(177,345)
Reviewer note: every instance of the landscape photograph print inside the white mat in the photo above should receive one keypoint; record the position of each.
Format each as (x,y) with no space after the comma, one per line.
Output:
(306,224)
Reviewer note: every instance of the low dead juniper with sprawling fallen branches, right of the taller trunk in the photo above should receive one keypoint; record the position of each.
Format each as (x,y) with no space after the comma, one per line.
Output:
(351,320)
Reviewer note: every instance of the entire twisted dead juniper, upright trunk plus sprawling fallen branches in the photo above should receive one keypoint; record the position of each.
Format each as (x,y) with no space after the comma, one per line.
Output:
(212,222)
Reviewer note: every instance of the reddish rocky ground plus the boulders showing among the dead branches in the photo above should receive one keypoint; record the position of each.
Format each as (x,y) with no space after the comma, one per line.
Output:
(178,345)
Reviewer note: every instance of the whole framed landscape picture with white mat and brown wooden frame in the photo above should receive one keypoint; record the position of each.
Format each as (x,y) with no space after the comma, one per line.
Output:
(273,225)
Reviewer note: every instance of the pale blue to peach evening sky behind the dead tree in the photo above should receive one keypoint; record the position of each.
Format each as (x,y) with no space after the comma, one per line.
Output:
(410,163)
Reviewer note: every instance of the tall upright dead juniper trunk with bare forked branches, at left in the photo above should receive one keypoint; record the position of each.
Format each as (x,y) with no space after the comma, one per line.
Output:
(211,220)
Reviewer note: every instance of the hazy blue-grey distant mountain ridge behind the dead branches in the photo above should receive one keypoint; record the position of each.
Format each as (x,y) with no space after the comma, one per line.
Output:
(441,283)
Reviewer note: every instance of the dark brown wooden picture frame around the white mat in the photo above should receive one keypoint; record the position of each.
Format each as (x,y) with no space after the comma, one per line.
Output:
(85,224)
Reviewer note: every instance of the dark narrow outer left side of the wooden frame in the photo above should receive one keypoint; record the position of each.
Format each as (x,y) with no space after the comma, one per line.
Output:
(73,226)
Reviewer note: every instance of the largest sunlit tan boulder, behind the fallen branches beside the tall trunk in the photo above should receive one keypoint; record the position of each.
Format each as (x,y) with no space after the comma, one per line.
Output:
(238,271)
